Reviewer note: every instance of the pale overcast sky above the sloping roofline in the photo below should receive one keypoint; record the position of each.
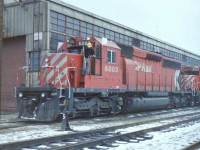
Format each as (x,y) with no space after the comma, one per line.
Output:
(174,21)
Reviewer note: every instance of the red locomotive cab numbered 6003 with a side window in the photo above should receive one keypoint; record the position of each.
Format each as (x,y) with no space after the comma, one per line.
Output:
(105,68)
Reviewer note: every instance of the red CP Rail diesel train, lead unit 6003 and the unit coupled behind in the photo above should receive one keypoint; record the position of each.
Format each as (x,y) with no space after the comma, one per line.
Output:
(121,79)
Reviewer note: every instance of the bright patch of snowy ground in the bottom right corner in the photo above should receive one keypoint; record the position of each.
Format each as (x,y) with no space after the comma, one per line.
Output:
(174,140)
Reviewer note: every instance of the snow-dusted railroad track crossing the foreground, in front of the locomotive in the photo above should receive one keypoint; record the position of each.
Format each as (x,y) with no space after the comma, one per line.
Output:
(105,137)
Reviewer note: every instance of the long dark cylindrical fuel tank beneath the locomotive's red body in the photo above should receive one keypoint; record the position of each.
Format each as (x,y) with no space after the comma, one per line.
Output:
(146,103)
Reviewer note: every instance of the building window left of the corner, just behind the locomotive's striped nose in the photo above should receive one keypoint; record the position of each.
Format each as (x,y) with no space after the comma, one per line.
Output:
(34,58)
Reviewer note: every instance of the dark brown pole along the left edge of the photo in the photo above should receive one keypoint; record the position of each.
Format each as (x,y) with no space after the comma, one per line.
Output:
(1,44)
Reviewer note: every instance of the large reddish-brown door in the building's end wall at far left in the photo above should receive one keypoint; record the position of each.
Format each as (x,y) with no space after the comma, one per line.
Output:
(13,57)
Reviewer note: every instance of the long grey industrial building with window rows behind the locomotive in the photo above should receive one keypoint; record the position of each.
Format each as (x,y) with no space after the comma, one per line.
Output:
(35,27)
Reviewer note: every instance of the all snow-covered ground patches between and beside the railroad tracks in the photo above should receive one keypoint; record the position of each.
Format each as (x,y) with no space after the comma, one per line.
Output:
(161,140)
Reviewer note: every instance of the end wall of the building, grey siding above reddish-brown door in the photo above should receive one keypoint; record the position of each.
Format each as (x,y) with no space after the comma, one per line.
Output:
(22,25)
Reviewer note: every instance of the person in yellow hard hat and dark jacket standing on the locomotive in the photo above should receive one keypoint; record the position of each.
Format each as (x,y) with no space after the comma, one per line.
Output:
(88,52)
